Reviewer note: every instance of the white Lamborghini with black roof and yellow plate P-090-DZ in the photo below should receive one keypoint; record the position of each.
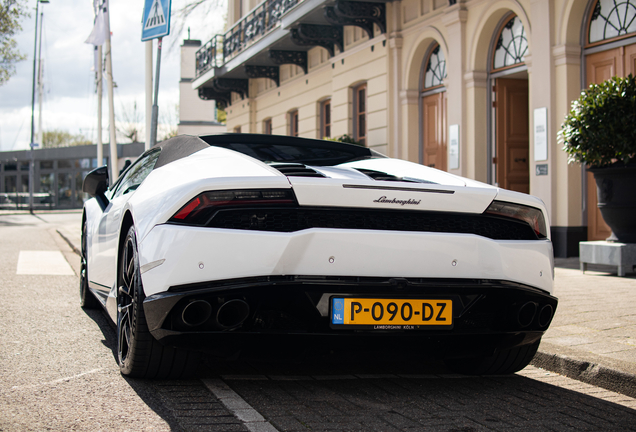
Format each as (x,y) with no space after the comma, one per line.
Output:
(211,242)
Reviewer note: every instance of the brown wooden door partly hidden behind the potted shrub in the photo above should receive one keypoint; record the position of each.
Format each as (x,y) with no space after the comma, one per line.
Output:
(600,67)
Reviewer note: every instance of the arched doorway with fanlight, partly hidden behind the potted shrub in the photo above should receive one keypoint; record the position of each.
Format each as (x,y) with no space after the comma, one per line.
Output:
(609,47)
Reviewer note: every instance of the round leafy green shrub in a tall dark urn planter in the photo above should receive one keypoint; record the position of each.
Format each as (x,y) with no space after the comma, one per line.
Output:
(600,131)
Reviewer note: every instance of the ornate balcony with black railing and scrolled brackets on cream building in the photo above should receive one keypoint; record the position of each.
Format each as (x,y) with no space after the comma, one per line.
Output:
(278,32)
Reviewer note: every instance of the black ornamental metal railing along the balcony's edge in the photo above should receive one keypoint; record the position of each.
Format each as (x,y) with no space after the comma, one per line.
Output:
(252,27)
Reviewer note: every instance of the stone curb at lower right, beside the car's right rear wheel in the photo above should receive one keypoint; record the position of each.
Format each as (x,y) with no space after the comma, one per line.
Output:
(590,373)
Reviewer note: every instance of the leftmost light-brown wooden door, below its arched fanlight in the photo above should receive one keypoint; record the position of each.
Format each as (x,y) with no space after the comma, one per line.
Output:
(434,139)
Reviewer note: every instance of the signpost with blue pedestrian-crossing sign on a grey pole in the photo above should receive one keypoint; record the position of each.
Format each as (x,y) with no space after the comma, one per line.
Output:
(155,24)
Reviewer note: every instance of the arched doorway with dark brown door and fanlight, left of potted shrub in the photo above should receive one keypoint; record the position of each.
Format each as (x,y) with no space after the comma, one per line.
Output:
(509,125)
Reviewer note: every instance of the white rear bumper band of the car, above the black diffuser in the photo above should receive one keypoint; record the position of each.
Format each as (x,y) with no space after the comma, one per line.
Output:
(172,255)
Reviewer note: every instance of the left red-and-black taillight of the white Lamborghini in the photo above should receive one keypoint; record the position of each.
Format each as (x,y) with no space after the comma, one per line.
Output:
(200,209)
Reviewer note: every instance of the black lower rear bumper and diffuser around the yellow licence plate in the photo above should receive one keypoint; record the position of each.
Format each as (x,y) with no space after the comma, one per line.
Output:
(487,314)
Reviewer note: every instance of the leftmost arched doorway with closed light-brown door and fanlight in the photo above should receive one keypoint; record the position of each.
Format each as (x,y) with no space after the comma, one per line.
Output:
(433,151)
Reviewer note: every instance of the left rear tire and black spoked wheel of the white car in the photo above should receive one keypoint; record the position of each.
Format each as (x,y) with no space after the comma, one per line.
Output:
(139,354)
